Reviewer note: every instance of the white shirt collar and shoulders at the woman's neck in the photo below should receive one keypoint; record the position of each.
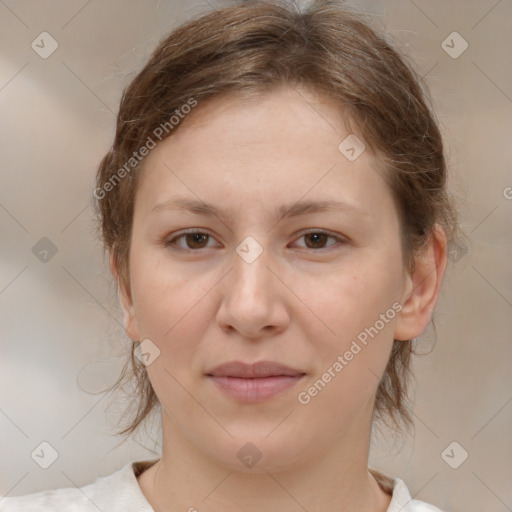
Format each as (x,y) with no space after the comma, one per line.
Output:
(120,492)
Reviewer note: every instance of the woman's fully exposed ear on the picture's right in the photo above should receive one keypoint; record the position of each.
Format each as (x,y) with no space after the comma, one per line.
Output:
(421,289)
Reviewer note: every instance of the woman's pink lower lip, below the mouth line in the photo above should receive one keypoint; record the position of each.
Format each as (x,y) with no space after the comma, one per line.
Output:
(254,390)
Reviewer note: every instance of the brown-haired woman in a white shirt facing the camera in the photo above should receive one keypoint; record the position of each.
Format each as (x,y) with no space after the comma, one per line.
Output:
(275,210)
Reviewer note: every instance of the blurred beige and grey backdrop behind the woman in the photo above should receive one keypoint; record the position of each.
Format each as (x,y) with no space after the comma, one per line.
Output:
(60,333)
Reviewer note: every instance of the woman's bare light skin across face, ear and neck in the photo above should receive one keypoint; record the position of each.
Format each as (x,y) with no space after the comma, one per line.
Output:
(301,302)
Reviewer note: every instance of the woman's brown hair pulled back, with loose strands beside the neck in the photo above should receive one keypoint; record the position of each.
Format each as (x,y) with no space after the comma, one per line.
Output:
(252,47)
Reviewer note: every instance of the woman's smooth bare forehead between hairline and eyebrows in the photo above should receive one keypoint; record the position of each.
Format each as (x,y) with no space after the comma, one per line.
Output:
(277,147)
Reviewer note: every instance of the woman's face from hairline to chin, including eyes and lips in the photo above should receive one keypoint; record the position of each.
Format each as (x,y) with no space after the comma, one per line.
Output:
(316,290)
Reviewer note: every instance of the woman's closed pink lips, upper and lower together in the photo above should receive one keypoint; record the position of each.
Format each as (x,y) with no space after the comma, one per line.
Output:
(254,382)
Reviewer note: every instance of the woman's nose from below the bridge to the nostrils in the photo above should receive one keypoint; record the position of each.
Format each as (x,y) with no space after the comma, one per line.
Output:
(253,299)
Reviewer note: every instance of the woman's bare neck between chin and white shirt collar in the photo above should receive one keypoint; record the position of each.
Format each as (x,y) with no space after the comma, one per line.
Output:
(185,479)
